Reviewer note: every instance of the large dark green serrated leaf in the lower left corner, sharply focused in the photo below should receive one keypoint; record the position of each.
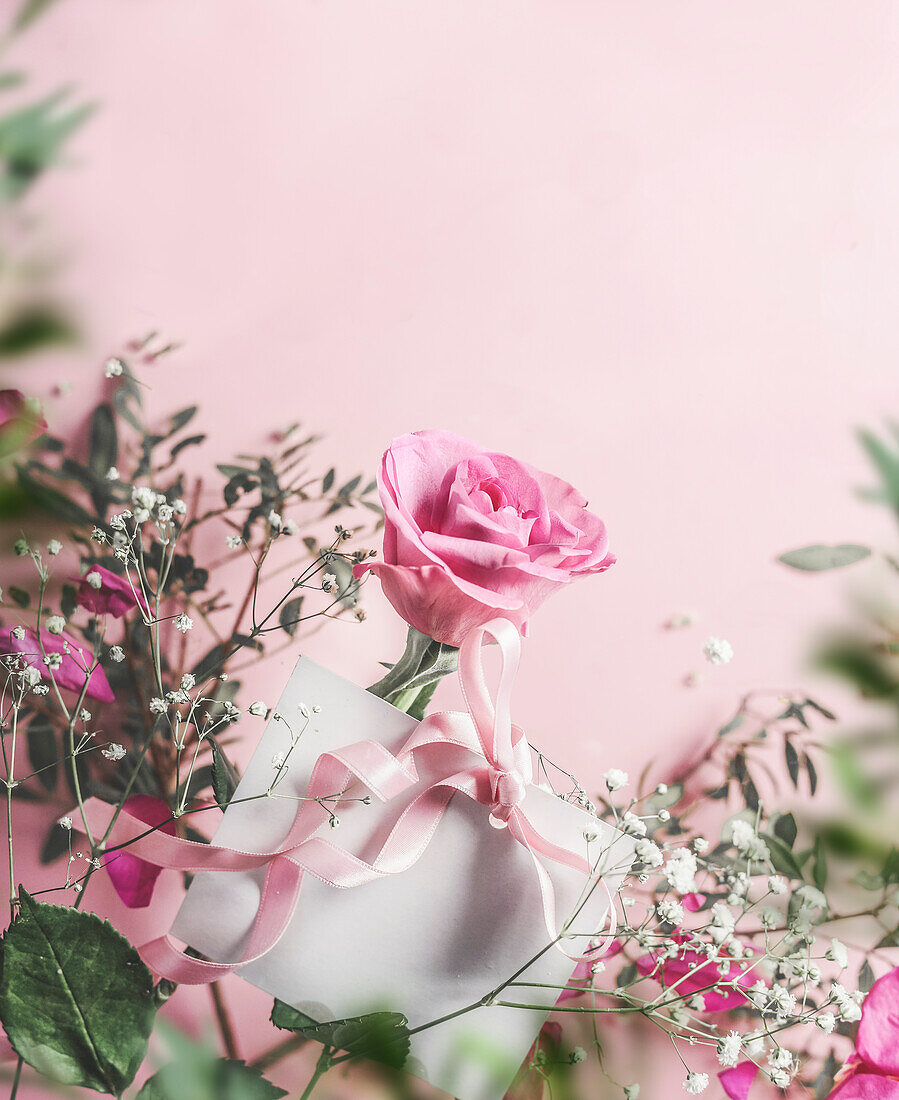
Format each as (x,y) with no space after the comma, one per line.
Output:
(75,998)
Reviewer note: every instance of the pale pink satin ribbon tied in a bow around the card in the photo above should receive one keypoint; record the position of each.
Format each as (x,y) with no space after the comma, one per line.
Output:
(497,777)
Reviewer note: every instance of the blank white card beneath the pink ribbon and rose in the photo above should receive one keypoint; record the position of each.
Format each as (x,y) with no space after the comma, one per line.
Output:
(427,942)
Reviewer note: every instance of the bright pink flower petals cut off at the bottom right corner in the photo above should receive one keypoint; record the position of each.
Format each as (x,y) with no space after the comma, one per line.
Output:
(873,1072)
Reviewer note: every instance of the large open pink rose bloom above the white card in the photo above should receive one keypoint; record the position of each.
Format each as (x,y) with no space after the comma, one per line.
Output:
(472,534)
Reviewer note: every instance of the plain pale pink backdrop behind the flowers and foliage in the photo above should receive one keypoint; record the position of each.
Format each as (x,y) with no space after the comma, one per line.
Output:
(651,248)
